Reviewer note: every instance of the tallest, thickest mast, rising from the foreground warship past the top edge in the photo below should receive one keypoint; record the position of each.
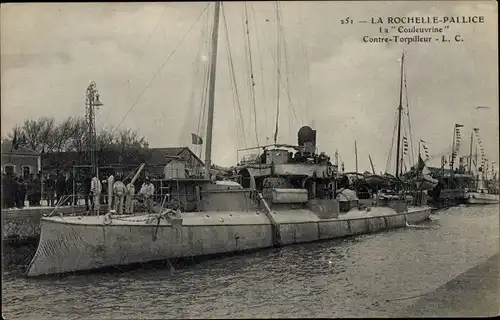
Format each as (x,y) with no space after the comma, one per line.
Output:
(211,92)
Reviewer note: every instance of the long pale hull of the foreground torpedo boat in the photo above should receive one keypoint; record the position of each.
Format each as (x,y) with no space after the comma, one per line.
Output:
(83,243)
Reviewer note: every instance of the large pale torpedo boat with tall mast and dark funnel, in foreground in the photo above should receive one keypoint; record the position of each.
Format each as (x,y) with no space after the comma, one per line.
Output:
(289,196)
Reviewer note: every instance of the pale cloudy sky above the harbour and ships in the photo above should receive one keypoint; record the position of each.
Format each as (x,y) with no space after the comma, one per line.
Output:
(329,79)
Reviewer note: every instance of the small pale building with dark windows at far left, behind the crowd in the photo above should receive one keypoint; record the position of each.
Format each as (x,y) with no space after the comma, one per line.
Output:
(21,161)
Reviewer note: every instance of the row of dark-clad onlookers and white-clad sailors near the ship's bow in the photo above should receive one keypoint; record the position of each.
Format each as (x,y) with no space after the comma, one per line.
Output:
(62,189)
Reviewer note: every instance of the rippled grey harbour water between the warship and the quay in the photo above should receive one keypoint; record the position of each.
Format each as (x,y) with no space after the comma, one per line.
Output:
(363,276)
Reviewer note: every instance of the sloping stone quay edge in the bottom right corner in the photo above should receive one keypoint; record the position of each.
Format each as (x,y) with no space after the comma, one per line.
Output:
(474,293)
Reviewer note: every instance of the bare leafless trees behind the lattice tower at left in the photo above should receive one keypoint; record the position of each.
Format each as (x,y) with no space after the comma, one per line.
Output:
(70,134)
